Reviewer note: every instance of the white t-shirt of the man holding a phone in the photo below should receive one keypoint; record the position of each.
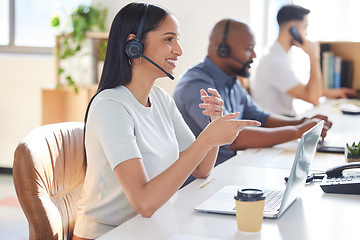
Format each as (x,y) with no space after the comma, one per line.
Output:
(273,78)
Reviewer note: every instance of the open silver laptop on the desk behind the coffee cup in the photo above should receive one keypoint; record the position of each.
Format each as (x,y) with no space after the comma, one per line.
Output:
(277,200)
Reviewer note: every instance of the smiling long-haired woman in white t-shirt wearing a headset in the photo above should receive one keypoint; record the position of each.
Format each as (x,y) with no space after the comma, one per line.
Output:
(138,148)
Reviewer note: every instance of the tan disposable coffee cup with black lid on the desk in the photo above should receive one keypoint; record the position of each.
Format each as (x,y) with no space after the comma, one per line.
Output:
(249,209)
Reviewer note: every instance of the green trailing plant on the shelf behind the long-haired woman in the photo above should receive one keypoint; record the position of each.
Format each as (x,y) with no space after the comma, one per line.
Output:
(72,44)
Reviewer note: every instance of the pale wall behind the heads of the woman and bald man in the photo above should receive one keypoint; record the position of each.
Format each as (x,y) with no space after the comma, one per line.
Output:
(196,19)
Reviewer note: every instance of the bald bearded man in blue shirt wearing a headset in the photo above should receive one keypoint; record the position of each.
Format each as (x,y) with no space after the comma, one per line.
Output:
(230,54)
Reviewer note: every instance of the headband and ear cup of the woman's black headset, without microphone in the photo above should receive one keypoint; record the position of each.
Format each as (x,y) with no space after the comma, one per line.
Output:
(134,47)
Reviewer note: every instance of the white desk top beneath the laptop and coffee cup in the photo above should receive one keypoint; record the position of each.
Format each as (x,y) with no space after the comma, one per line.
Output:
(316,215)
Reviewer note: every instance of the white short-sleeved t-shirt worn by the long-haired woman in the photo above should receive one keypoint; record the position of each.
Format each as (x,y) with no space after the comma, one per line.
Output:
(120,128)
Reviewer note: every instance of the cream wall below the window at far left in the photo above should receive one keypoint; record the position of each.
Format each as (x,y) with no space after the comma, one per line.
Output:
(21,79)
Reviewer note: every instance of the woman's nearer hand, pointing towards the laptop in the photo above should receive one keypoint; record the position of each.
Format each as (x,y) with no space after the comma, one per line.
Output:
(225,129)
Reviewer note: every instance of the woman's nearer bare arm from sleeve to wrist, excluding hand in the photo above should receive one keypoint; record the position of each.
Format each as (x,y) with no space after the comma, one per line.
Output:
(147,196)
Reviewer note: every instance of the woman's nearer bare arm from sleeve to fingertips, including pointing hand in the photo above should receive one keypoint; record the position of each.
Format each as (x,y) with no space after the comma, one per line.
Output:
(147,196)
